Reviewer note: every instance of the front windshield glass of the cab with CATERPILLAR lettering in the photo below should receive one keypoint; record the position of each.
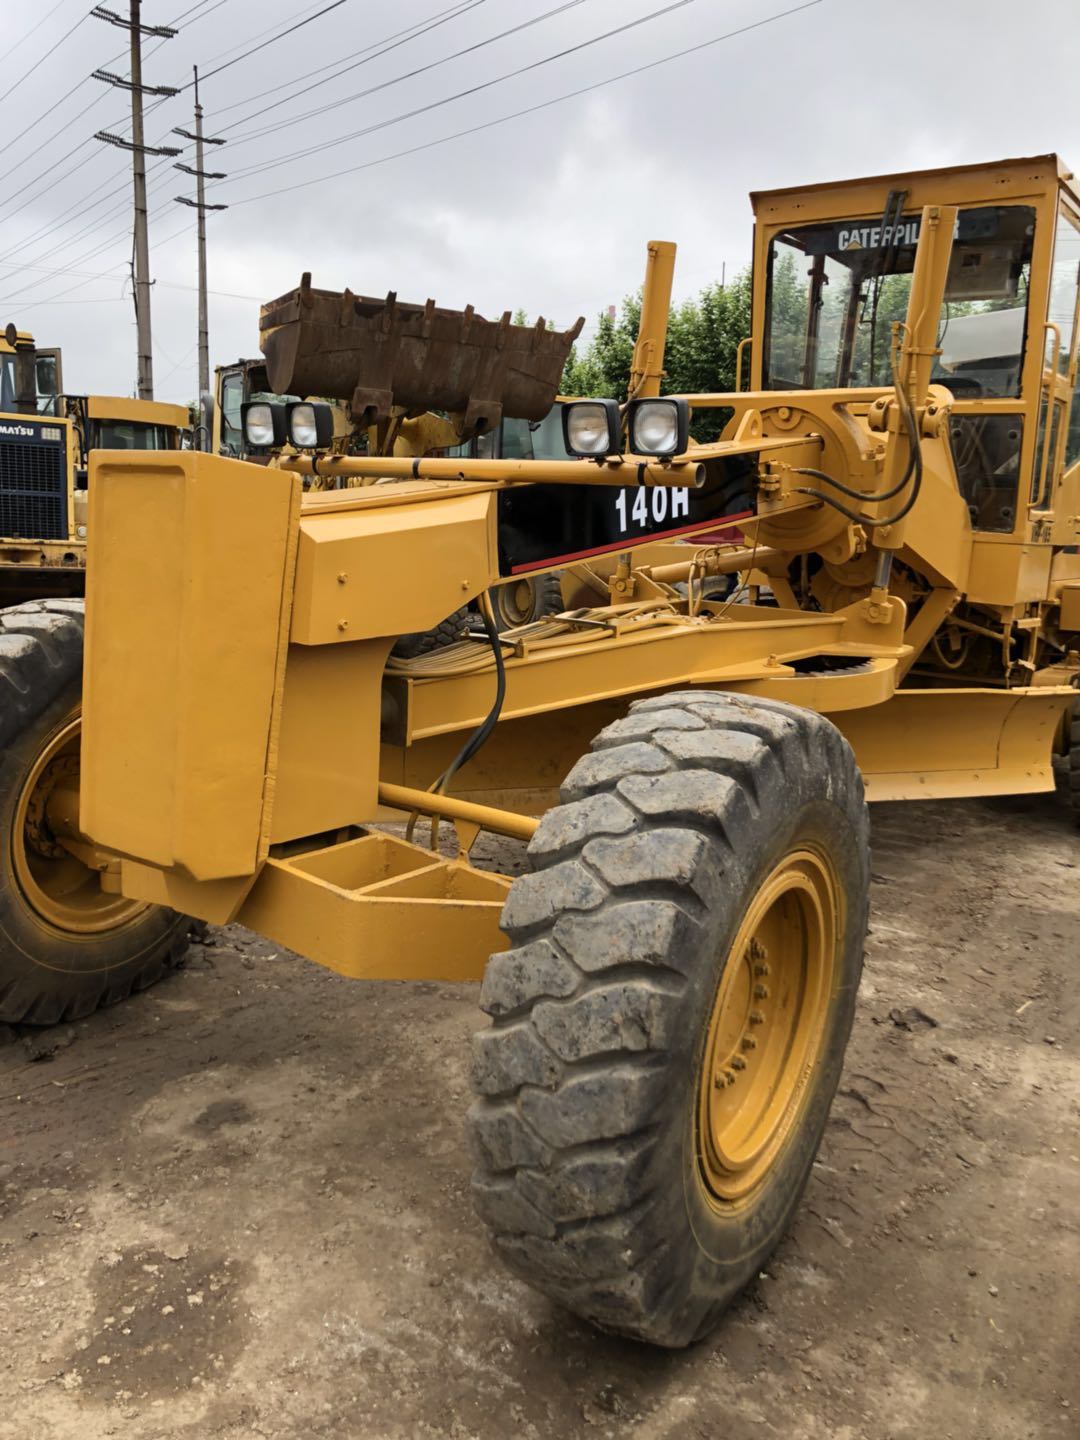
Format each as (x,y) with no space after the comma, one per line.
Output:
(834,292)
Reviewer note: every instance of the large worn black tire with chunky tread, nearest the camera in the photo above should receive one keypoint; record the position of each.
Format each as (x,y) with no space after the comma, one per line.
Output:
(590,1114)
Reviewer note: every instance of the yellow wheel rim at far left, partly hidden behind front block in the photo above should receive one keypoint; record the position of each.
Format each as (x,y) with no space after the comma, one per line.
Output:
(58,886)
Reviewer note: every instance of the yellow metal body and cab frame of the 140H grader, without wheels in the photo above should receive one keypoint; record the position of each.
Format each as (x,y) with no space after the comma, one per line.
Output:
(244,662)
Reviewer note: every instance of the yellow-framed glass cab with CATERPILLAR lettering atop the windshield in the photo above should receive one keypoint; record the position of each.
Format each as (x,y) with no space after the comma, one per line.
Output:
(833,274)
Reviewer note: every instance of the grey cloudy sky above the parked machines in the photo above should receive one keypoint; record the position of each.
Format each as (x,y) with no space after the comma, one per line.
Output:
(426,146)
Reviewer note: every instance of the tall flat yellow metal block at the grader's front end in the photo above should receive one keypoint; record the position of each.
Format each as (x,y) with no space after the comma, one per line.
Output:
(185,649)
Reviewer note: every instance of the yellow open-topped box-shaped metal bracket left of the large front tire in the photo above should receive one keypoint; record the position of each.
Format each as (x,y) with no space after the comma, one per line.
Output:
(378,908)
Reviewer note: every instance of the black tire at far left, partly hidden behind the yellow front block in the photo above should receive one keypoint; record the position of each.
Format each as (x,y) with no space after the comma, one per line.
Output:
(50,973)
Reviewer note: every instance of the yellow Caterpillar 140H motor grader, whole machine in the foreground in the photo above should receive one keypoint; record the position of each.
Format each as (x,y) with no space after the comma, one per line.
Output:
(672,983)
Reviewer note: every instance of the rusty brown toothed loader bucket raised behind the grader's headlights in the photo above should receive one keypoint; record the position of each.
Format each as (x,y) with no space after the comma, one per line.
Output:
(384,355)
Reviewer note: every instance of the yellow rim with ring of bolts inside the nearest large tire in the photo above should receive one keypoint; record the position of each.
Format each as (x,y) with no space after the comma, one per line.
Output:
(768,1026)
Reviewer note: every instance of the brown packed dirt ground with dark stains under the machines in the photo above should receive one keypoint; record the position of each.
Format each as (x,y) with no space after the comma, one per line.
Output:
(238,1206)
